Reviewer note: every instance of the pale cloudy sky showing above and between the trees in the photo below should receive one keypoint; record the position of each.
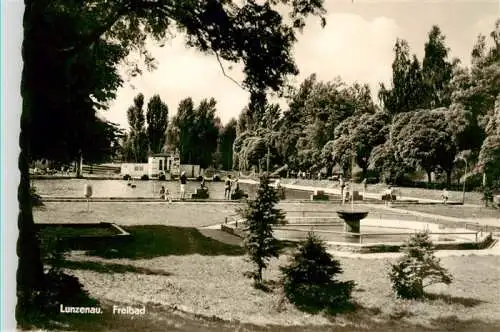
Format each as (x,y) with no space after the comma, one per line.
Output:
(356,44)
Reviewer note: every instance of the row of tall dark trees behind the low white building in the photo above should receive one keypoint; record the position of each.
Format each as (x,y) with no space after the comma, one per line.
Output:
(196,132)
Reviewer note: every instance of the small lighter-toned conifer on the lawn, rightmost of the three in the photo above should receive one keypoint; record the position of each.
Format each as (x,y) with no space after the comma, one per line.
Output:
(418,268)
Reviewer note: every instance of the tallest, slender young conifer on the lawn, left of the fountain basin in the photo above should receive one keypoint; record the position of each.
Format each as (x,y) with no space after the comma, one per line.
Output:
(260,215)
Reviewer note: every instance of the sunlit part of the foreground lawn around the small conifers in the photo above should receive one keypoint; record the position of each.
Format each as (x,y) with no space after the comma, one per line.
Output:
(214,287)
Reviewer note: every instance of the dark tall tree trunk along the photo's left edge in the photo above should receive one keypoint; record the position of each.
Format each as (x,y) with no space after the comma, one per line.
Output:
(30,276)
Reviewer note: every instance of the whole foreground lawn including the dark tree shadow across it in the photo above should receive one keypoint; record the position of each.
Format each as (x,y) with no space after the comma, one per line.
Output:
(189,282)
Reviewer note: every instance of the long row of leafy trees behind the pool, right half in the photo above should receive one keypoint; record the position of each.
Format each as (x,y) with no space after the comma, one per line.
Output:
(435,115)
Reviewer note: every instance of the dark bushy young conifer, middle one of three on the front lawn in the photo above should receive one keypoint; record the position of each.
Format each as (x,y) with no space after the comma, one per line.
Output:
(309,281)
